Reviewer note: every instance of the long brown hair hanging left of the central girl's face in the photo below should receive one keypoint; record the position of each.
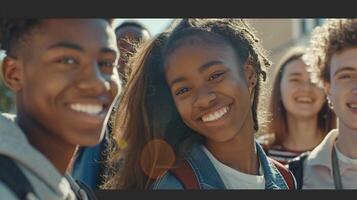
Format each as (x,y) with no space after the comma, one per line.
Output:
(146,112)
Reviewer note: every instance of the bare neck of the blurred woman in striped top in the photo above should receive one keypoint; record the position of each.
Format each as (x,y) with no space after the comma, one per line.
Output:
(303,133)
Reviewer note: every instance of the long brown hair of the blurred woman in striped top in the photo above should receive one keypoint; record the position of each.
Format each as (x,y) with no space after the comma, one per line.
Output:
(277,127)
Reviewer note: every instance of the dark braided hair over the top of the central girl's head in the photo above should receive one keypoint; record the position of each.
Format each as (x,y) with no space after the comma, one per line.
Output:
(236,32)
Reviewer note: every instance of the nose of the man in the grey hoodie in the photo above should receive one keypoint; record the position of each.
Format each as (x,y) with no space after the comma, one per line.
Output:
(93,81)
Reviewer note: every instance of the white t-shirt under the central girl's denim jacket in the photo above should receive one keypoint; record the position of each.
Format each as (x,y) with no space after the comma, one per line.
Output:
(234,179)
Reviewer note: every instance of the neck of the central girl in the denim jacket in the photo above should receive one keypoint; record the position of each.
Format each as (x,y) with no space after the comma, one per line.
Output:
(239,153)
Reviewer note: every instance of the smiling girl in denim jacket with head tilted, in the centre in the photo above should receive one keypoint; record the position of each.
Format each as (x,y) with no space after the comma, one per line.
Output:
(201,83)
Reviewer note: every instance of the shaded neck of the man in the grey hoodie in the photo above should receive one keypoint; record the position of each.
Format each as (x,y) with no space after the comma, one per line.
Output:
(54,148)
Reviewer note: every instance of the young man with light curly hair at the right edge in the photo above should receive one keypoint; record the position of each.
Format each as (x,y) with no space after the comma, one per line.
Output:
(333,64)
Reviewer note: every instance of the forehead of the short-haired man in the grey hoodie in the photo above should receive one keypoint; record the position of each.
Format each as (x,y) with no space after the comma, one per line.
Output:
(84,32)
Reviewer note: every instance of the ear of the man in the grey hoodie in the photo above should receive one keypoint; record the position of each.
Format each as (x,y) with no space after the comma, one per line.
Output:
(12,73)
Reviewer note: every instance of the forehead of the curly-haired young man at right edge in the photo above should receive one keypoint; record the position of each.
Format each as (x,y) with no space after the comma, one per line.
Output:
(345,58)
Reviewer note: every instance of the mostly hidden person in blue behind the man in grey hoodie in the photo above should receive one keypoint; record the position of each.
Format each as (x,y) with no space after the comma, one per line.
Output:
(90,166)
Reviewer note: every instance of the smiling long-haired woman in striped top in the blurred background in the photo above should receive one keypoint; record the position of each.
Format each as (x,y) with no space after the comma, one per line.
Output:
(299,114)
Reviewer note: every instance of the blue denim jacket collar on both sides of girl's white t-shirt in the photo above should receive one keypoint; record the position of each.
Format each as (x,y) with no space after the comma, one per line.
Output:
(209,178)
